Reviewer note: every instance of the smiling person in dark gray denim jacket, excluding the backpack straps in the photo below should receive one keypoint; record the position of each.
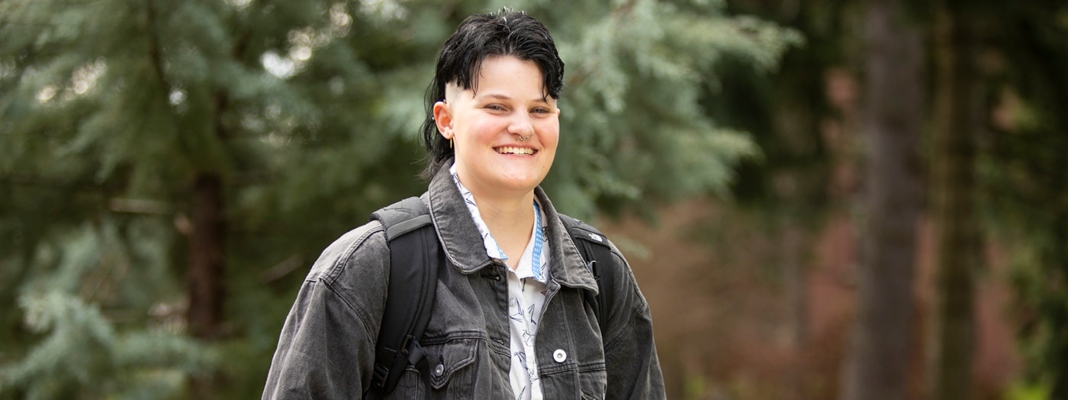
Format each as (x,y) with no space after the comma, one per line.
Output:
(492,132)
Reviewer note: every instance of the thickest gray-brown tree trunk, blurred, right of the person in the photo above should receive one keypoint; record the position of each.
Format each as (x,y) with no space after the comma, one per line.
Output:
(882,345)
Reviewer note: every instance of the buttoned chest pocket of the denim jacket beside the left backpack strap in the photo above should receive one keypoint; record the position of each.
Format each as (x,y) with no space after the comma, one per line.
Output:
(452,366)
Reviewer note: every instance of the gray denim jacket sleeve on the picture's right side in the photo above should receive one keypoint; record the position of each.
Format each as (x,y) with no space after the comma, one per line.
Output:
(631,354)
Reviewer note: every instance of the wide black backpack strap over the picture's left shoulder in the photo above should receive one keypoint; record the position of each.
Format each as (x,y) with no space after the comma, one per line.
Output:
(415,259)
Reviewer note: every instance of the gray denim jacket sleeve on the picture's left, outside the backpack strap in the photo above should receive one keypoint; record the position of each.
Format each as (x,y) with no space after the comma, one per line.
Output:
(327,346)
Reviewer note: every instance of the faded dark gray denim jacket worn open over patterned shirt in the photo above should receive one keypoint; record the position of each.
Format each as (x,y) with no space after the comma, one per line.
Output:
(327,347)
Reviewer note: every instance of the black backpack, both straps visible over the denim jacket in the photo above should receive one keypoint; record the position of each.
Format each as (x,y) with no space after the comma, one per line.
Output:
(416,259)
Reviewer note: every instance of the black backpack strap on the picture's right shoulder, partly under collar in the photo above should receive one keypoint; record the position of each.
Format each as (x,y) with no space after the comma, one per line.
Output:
(598,253)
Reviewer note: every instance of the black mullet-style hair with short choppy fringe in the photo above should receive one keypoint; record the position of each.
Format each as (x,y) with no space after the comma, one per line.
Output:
(505,33)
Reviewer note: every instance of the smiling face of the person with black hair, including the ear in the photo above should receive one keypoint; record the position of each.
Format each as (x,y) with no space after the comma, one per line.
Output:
(490,122)
